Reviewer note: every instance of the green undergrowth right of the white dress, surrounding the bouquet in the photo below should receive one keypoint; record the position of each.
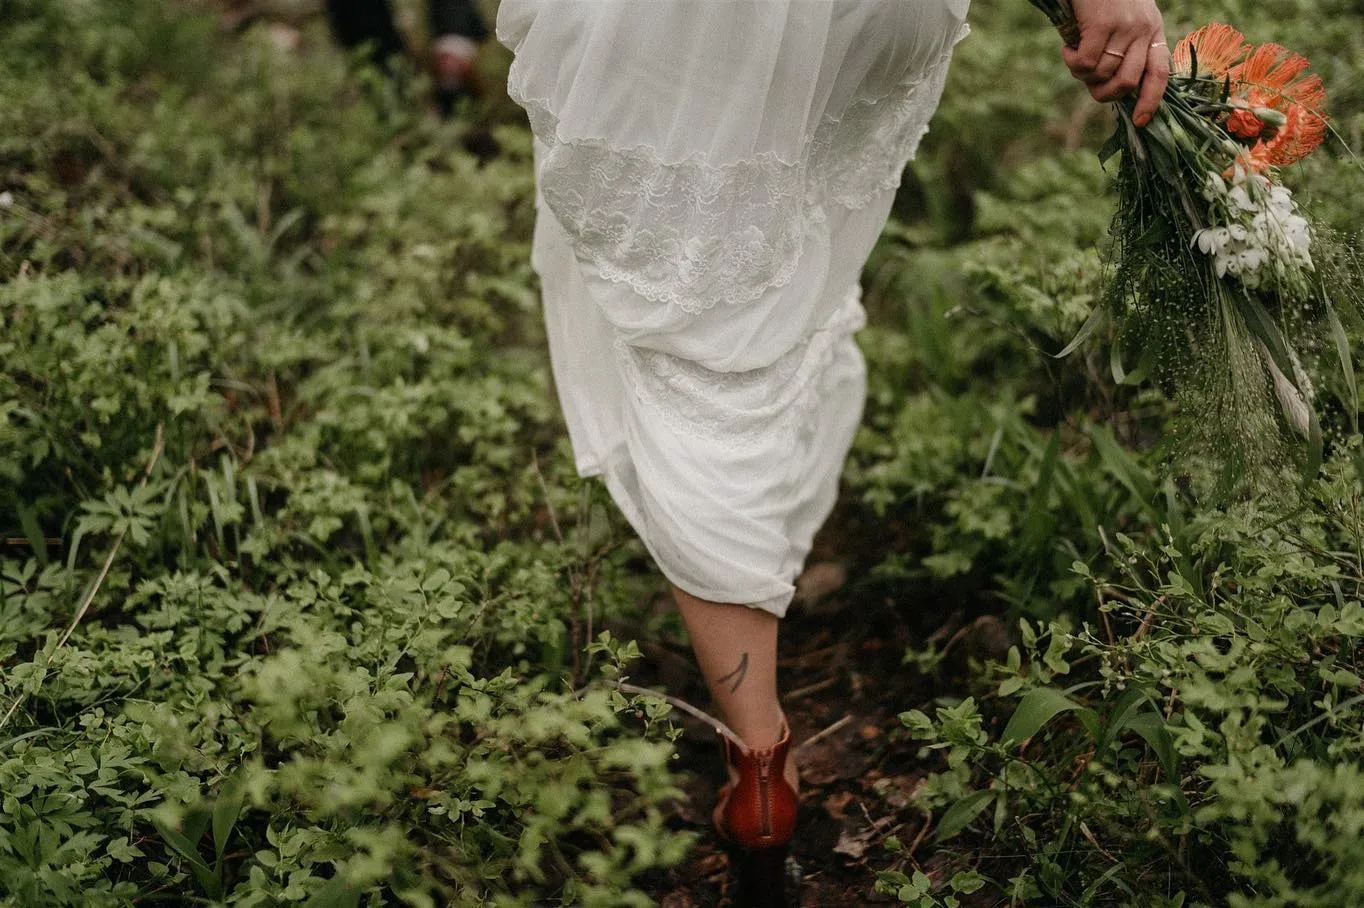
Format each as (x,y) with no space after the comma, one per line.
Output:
(1176,722)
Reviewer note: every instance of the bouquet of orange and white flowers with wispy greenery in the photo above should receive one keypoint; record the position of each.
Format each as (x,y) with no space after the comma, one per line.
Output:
(1217,280)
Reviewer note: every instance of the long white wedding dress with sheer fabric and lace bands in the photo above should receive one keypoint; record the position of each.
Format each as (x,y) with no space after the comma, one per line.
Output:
(713,175)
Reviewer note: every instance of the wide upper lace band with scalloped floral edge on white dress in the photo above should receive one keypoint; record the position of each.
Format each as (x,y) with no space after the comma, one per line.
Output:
(694,234)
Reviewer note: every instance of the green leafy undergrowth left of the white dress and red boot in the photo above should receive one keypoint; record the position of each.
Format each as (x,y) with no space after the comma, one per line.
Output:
(273,407)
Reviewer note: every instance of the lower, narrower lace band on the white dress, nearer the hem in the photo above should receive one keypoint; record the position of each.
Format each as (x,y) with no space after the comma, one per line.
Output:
(744,410)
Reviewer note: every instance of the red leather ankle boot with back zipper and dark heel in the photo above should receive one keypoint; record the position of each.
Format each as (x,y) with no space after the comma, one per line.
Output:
(758,816)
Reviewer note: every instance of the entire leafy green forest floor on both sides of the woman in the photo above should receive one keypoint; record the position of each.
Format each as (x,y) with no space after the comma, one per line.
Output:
(301,602)
